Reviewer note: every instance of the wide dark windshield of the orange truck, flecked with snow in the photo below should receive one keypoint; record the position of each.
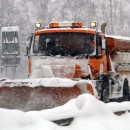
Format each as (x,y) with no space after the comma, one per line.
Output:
(64,44)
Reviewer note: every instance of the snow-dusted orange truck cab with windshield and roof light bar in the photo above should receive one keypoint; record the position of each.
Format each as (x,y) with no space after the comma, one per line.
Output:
(69,46)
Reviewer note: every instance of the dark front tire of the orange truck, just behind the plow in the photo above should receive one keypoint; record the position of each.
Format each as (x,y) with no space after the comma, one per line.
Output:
(105,90)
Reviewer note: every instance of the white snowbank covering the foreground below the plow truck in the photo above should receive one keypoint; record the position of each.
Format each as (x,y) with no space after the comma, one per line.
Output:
(88,113)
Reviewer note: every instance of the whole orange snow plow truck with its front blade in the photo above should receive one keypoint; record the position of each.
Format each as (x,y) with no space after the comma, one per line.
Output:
(68,59)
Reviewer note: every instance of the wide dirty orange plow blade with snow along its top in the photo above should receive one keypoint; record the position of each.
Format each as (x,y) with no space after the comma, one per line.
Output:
(37,94)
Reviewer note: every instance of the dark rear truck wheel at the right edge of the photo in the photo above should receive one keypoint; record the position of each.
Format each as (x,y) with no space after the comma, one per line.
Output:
(126,95)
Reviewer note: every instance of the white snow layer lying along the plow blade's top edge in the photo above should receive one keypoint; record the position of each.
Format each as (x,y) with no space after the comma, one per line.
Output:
(46,82)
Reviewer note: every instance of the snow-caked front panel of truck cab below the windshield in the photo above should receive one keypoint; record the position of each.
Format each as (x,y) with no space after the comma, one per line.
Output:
(48,67)
